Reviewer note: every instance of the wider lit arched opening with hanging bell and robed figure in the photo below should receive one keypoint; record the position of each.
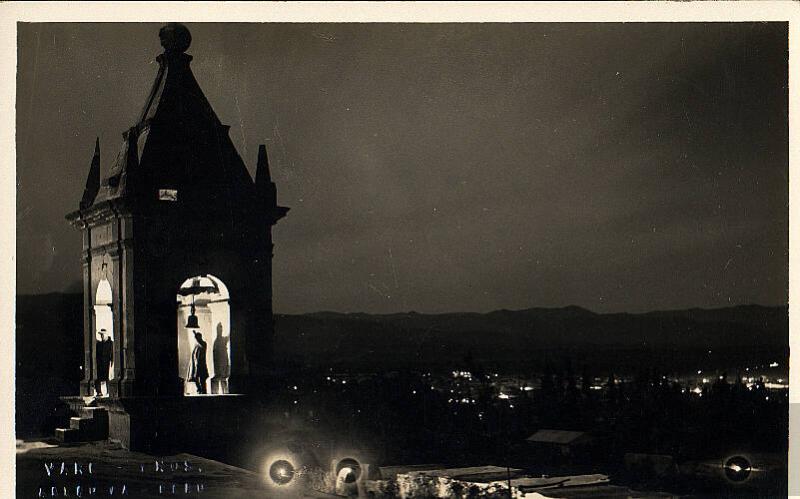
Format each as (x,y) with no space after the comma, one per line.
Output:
(204,354)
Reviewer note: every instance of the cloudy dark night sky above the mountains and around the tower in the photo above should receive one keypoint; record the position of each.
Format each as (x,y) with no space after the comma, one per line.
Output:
(452,167)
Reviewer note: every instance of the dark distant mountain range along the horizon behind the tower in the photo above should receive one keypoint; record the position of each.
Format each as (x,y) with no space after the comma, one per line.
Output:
(48,325)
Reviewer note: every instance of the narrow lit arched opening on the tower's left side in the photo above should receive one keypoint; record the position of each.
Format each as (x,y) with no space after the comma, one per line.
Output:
(104,337)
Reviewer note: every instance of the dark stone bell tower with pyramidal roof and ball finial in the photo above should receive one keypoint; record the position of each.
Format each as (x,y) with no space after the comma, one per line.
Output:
(178,203)
